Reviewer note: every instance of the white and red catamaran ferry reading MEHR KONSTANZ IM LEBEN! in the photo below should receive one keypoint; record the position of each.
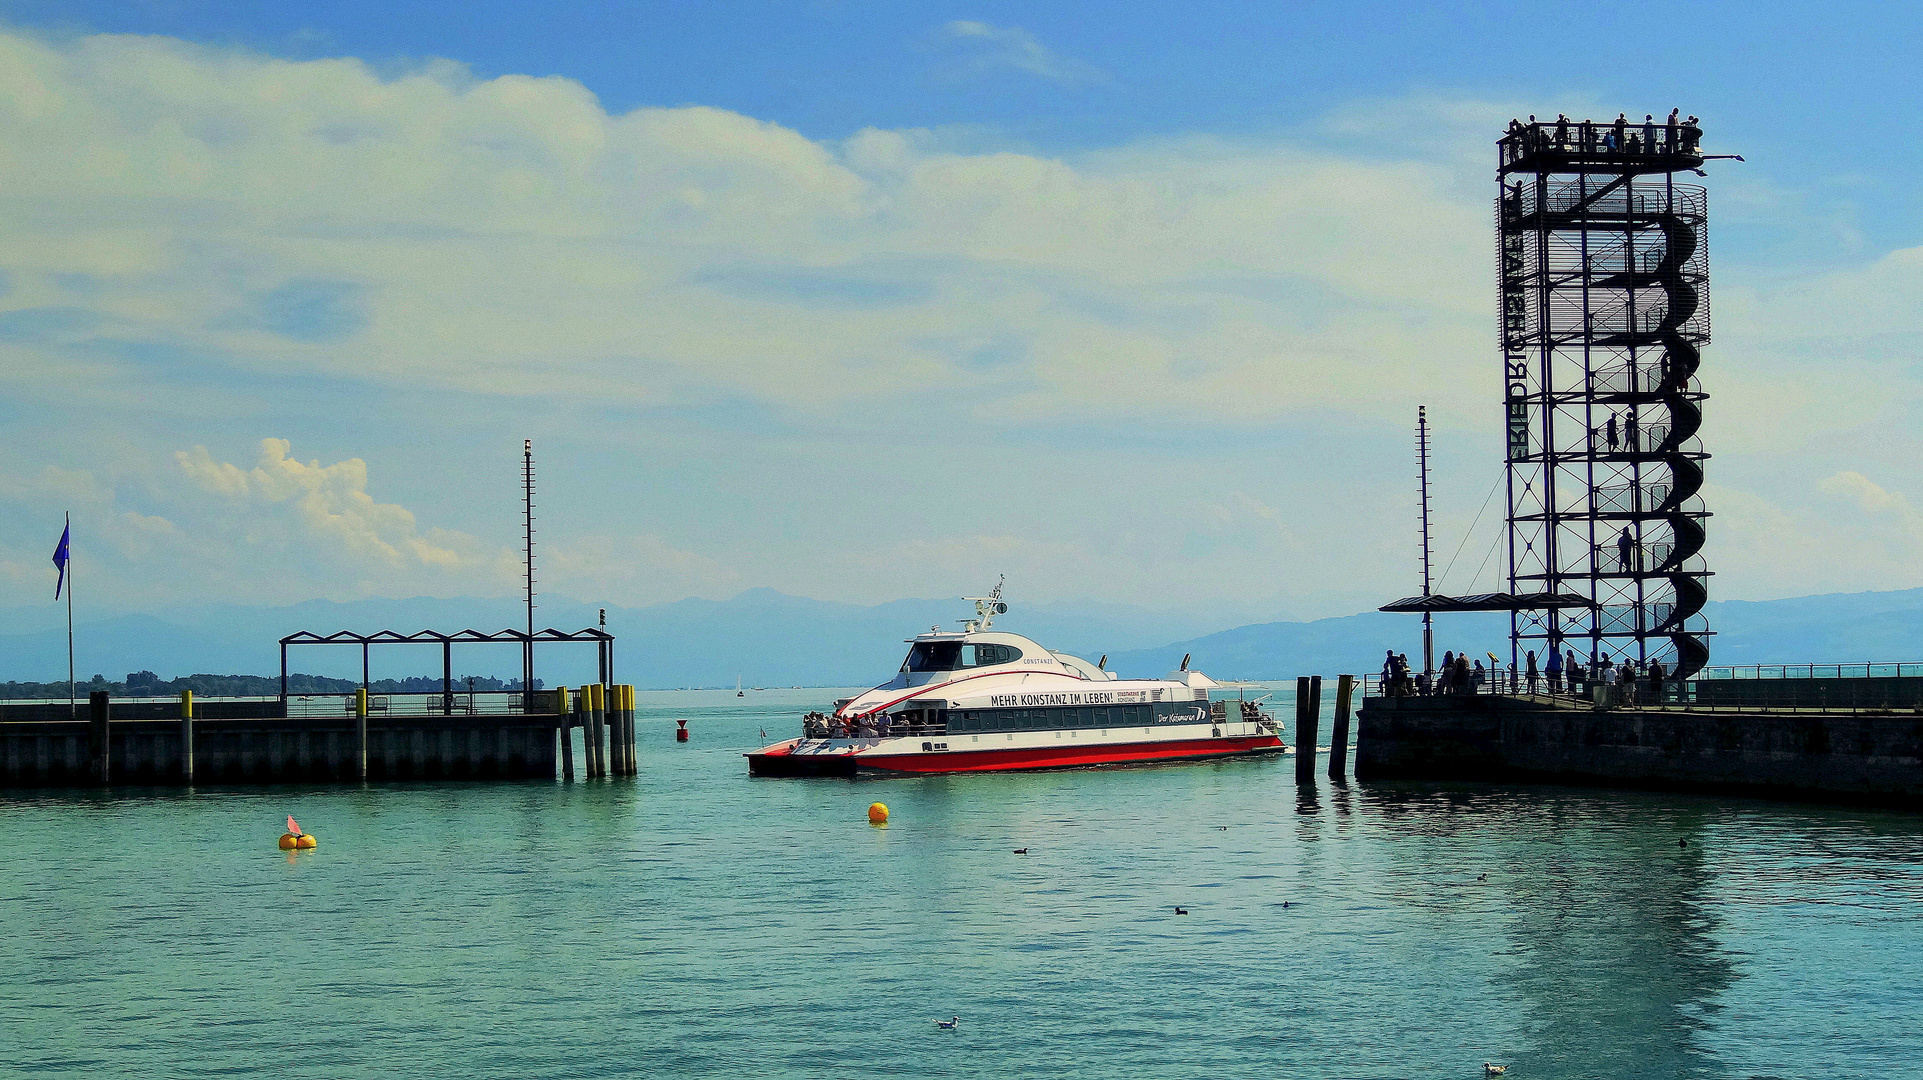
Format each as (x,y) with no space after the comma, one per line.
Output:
(982,702)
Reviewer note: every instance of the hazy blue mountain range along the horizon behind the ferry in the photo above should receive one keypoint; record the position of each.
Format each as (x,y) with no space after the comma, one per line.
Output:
(770,639)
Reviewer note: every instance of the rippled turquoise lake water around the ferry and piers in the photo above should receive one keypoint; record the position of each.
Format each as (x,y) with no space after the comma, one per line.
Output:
(697,923)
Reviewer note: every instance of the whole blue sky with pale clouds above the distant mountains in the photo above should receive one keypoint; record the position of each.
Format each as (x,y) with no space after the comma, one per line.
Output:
(1130,303)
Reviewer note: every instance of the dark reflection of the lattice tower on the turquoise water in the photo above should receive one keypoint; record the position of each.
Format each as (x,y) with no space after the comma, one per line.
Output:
(1614,960)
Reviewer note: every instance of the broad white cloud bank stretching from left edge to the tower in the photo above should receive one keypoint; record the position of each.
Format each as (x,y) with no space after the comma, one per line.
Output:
(511,237)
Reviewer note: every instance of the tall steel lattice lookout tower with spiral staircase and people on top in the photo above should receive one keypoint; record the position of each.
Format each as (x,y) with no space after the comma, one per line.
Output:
(1605,314)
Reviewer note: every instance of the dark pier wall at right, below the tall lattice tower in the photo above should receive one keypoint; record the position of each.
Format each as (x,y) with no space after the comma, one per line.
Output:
(1778,754)
